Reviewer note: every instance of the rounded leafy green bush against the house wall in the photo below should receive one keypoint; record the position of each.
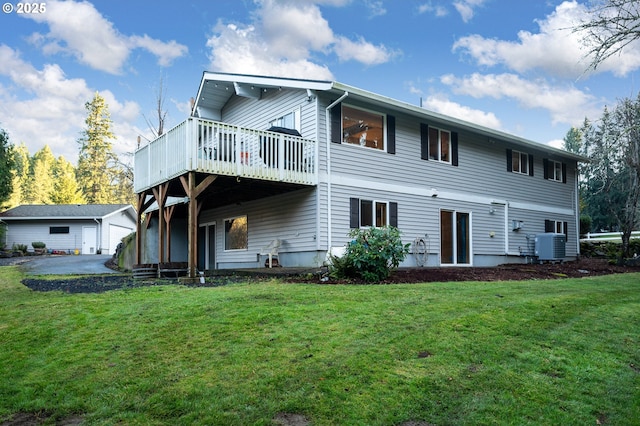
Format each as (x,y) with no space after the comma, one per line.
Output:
(371,255)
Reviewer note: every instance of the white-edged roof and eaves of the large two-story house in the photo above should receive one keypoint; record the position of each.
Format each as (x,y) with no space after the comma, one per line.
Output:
(217,88)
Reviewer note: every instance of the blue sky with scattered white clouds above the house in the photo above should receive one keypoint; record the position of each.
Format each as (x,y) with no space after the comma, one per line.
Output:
(511,65)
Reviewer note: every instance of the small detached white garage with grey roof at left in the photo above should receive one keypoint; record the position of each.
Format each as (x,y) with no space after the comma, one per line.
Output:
(88,228)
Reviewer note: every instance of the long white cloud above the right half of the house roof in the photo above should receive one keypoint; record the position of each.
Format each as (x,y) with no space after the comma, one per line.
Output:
(566,104)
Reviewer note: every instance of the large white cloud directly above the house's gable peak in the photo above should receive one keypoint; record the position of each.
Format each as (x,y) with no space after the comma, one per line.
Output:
(279,41)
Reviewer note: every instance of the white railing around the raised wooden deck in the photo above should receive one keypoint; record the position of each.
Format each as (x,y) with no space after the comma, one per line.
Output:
(218,148)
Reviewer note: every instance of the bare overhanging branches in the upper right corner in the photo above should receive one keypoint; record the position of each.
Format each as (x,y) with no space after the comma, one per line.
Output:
(612,25)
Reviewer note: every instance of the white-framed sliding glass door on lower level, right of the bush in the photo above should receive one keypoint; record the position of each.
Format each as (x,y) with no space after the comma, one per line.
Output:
(455,238)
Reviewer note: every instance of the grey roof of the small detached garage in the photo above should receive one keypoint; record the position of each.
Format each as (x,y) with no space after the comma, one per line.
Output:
(64,211)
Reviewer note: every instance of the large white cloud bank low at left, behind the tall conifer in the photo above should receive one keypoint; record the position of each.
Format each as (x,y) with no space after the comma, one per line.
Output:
(53,110)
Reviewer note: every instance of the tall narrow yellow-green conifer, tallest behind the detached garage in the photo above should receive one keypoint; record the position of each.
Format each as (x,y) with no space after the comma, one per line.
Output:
(96,160)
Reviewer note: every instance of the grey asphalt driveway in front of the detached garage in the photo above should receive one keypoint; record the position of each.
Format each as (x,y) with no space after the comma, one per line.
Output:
(67,265)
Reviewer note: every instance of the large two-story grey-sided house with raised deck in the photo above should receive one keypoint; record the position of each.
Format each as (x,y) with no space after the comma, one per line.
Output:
(220,186)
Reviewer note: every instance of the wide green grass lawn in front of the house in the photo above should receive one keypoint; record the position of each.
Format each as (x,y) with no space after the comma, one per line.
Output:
(558,352)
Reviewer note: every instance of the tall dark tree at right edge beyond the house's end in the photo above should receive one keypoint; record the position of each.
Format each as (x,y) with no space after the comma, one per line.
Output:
(612,179)
